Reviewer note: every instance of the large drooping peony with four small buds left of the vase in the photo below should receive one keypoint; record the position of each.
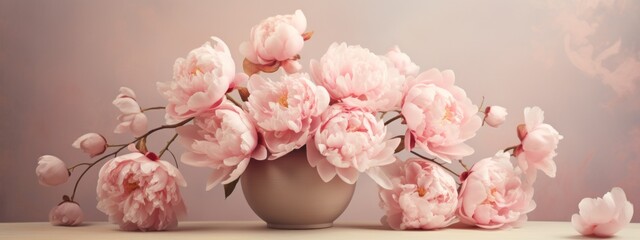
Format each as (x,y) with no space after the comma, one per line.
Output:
(138,191)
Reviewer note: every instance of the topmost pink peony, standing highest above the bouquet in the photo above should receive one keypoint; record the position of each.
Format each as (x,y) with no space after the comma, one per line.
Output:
(277,39)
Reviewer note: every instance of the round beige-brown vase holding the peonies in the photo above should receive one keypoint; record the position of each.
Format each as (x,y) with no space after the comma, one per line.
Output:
(288,193)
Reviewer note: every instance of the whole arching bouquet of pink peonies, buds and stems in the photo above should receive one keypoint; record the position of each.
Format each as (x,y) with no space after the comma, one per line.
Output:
(339,110)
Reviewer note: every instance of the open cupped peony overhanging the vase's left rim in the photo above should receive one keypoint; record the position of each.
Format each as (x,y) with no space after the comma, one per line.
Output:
(223,139)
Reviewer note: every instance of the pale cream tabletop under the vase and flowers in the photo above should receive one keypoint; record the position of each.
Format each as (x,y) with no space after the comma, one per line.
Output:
(258,230)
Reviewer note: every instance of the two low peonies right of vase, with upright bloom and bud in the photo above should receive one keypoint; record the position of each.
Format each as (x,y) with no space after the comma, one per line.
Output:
(493,193)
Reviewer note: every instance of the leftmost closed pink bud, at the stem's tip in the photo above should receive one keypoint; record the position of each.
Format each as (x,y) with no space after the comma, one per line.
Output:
(51,171)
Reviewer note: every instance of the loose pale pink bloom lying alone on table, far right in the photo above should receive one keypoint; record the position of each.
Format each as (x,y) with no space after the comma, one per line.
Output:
(603,217)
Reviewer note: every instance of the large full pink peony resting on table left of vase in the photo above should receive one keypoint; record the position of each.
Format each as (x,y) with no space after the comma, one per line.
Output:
(140,192)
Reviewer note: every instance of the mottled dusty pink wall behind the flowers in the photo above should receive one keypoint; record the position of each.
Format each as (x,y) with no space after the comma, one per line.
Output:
(62,62)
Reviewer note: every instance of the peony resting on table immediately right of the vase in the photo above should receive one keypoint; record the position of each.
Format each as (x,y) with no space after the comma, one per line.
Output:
(424,196)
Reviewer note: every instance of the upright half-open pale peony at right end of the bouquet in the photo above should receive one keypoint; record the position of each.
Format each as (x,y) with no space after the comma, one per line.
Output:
(539,143)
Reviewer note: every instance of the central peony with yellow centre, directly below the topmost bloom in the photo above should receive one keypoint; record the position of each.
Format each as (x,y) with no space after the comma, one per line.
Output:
(286,112)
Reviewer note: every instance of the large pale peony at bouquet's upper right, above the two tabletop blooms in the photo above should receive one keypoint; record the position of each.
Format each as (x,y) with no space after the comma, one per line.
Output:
(439,115)
